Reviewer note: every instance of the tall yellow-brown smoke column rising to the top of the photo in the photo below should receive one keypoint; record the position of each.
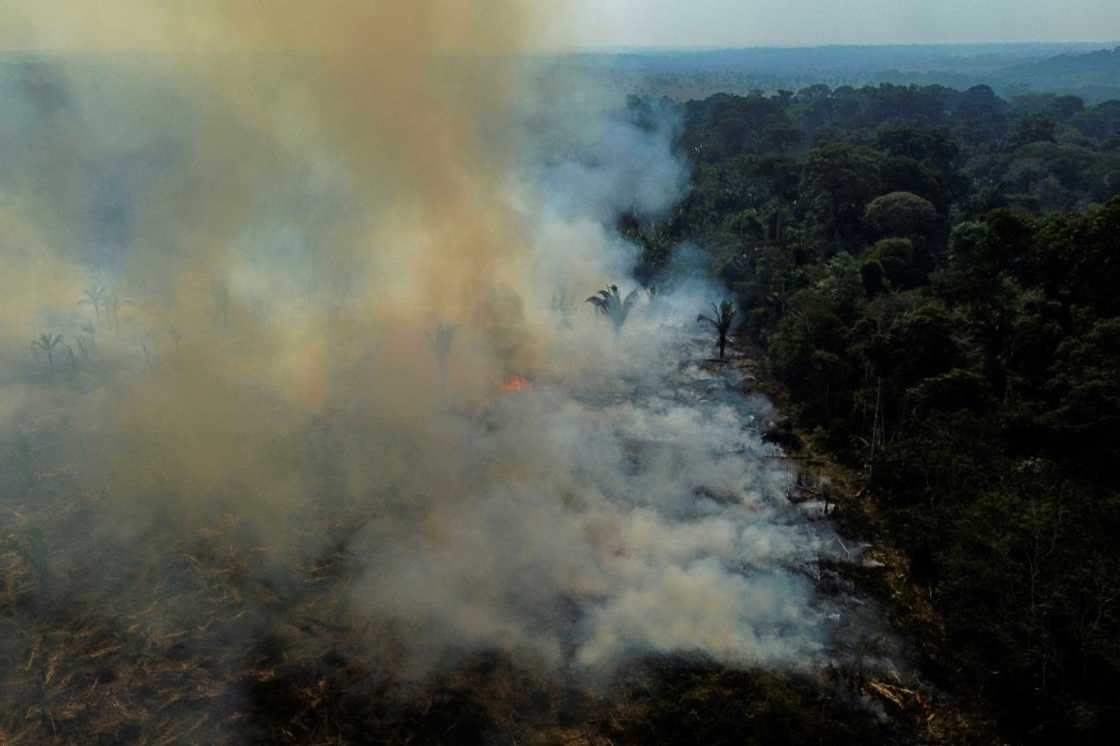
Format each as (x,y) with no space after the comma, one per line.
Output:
(403,107)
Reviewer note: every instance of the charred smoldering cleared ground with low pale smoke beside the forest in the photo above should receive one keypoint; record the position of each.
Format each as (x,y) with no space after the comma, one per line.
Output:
(605,527)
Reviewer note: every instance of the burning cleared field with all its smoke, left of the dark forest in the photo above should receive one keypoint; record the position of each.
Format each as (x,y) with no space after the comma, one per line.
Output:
(318,442)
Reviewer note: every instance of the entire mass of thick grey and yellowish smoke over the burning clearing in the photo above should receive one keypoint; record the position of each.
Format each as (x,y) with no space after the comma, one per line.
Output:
(305,349)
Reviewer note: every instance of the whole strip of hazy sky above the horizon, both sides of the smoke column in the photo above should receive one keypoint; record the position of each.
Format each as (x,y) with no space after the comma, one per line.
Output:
(164,24)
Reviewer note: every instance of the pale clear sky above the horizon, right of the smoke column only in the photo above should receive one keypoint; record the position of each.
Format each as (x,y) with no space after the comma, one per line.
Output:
(770,23)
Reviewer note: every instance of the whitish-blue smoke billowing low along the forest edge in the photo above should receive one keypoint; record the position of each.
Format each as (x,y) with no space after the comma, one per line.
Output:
(626,505)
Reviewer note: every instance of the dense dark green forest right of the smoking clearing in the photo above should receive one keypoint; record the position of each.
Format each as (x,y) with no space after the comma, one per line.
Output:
(935,277)
